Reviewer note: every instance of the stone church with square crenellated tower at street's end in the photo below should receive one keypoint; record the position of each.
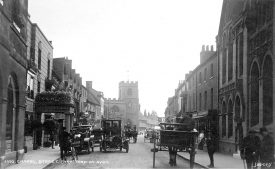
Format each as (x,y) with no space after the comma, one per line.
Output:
(126,107)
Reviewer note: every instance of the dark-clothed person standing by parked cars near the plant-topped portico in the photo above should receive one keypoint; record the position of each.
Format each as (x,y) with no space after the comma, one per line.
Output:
(63,142)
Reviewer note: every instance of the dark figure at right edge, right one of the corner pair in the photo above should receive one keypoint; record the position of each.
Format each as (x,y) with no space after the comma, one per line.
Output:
(267,149)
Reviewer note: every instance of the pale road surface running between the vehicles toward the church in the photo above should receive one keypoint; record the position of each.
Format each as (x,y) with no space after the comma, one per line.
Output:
(139,156)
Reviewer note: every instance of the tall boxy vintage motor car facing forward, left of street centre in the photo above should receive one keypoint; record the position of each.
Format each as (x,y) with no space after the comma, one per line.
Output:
(112,136)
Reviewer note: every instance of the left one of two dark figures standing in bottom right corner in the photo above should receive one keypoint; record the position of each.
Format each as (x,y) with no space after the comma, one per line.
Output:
(250,148)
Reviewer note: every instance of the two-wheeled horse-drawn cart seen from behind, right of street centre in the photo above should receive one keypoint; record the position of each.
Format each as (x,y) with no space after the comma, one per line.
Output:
(175,137)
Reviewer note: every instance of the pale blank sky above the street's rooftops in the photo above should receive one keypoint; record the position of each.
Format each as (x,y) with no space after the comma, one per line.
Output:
(154,42)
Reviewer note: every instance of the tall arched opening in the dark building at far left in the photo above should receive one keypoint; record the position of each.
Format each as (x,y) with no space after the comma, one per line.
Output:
(10,116)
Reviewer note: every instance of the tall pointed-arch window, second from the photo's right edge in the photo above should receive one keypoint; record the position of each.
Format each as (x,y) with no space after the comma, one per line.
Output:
(254,95)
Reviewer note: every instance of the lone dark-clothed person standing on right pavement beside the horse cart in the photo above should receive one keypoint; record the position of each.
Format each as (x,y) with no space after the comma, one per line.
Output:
(211,147)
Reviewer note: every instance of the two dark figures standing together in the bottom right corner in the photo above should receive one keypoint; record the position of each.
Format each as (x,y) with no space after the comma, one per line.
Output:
(258,148)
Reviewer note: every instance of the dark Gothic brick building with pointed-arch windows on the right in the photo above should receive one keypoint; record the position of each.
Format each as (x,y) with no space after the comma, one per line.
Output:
(245,44)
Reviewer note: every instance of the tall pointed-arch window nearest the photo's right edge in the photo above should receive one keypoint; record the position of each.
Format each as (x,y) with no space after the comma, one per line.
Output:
(267,91)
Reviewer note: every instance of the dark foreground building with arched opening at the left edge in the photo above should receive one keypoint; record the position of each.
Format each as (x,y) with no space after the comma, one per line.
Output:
(13,65)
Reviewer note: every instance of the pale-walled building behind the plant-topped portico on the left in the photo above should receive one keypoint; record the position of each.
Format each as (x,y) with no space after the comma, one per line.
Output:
(40,59)
